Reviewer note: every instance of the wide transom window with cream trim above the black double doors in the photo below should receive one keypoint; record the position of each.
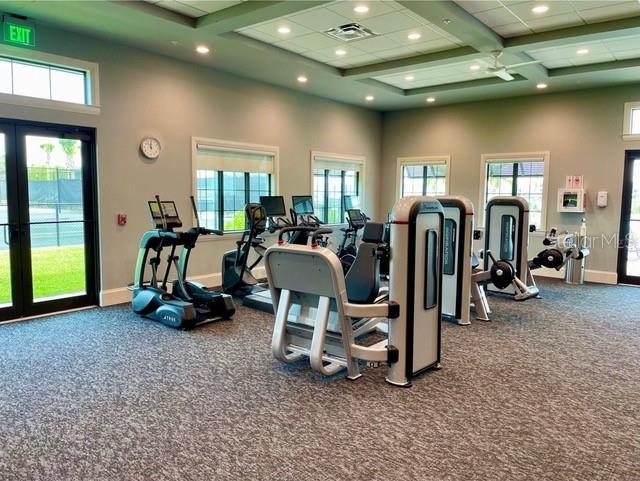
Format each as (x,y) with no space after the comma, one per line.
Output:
(45,80)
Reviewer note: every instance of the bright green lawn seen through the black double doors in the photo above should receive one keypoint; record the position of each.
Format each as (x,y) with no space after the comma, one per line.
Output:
(56,271)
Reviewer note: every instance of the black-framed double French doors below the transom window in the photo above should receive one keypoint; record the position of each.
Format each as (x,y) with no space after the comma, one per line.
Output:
(48,226)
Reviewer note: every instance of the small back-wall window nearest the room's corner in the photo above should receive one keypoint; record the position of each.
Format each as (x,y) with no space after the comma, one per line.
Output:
(423,176)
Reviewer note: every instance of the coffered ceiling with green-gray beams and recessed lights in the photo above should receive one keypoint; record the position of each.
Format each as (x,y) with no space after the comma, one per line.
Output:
(403,51)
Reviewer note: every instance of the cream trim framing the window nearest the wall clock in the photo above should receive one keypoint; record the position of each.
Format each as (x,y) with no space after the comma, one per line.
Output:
(239,146)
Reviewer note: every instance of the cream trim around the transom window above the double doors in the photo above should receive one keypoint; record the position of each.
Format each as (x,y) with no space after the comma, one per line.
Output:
(92,87)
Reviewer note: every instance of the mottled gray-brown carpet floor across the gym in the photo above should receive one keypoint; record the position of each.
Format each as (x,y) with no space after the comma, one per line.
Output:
(550,390)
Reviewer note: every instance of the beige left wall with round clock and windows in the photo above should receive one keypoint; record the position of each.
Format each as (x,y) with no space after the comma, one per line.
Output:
(147,94)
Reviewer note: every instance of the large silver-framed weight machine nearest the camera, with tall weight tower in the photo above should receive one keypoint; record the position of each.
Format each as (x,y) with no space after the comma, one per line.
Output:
(315,319)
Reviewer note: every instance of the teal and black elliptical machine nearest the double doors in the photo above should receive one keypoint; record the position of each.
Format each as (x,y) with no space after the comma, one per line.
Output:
(189,304)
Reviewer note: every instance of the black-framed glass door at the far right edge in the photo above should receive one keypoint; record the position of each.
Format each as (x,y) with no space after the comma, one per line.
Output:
(629,253)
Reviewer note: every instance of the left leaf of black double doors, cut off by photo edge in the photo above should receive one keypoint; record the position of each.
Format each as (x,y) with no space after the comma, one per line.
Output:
(10,279)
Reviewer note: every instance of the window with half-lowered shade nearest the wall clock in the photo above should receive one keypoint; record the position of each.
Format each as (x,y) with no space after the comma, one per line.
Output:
(227,176)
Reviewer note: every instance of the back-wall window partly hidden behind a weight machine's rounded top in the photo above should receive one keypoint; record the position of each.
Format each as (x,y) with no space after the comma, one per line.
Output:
(520,175)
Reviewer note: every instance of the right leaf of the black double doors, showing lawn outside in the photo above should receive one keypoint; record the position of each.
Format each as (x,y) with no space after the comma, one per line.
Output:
(57,217)
